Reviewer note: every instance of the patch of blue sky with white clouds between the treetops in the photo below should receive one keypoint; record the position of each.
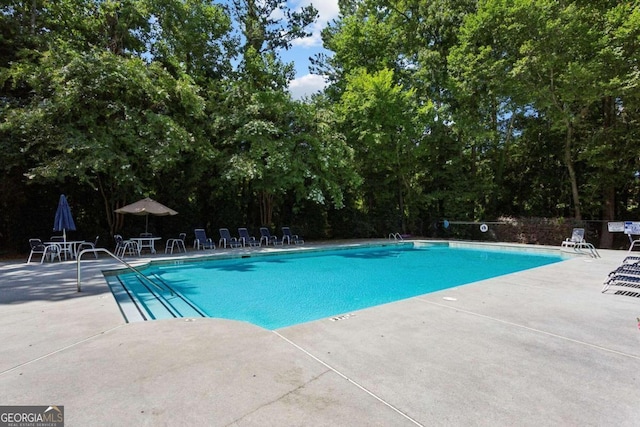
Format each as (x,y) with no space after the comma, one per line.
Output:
(305,83)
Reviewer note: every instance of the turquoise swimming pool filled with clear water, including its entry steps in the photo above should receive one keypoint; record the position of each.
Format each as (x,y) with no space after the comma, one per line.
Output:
(275,291)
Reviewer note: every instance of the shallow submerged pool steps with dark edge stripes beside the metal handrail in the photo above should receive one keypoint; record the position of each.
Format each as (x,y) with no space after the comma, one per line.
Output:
(140,300)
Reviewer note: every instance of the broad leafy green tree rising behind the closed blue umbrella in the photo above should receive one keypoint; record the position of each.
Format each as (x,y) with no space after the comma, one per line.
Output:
(105,121)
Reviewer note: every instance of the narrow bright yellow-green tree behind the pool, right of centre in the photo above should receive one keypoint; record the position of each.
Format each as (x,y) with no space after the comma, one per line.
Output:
(385,126)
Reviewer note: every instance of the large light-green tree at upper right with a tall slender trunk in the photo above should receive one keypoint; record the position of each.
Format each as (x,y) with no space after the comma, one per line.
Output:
(547,56)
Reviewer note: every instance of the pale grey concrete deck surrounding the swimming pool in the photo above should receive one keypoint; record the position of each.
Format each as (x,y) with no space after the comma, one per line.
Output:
(538,347)
